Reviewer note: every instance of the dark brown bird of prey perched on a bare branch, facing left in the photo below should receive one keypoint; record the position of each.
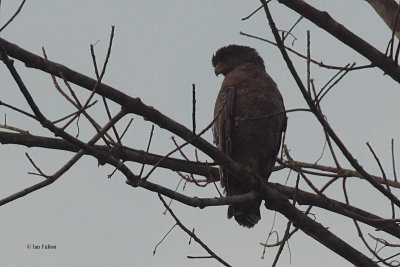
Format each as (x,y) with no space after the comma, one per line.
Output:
(250,118)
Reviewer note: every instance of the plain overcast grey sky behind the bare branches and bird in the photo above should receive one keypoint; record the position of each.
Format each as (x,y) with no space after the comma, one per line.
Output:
(160,48)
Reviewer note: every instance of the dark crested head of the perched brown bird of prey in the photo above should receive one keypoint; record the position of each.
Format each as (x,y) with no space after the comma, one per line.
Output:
(229,57)
